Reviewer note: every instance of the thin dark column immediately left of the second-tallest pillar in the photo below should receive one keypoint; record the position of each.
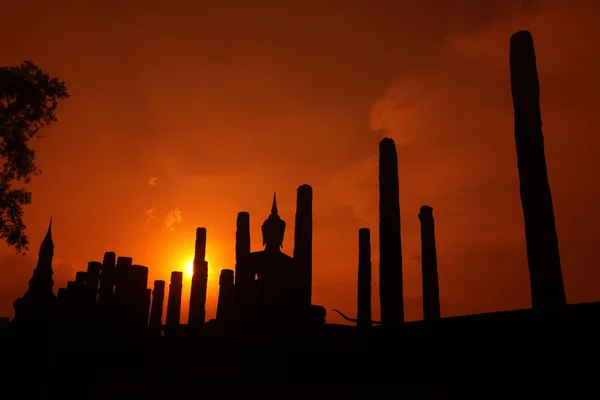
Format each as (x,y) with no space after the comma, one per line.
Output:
(364,278)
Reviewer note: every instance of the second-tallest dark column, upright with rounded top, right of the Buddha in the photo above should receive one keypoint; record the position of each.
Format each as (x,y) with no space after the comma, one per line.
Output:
(390,245)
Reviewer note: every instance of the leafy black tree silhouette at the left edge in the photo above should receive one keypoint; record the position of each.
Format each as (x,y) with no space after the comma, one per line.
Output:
(28,99)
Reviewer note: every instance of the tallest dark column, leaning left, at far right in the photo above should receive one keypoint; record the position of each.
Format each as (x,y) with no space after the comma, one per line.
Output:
(547,287)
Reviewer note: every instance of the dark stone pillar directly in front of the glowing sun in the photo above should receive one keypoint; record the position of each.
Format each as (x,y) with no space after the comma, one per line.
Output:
(197,313)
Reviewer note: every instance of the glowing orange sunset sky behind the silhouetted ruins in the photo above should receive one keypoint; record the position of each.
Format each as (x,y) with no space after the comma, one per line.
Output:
(226,101)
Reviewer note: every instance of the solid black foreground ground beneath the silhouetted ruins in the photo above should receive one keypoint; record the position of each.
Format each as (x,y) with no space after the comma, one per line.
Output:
(486,356)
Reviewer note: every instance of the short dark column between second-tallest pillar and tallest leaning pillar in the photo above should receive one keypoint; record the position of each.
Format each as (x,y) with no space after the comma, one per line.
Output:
(431,290)
